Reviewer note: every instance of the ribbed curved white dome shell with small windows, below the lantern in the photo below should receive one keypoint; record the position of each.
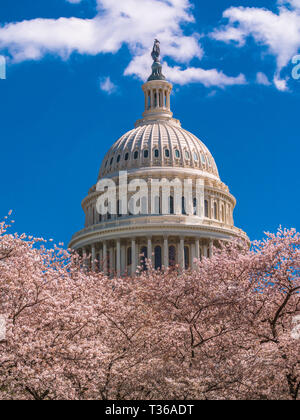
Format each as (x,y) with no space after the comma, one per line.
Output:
(161,135)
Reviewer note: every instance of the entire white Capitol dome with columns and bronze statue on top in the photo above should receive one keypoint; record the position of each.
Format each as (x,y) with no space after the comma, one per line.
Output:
(157,148)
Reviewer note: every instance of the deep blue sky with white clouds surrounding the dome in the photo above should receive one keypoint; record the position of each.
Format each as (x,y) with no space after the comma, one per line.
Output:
(73,87)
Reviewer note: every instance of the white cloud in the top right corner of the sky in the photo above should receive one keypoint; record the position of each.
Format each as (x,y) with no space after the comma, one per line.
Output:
(278,32)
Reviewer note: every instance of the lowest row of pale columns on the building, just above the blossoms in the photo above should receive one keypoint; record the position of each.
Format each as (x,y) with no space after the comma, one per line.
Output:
(124,257)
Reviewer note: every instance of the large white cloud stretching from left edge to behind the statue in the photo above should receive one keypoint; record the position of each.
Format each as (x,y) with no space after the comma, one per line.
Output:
(133,23)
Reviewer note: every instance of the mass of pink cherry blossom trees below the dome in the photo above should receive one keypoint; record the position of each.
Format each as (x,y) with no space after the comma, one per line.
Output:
(227,330)
